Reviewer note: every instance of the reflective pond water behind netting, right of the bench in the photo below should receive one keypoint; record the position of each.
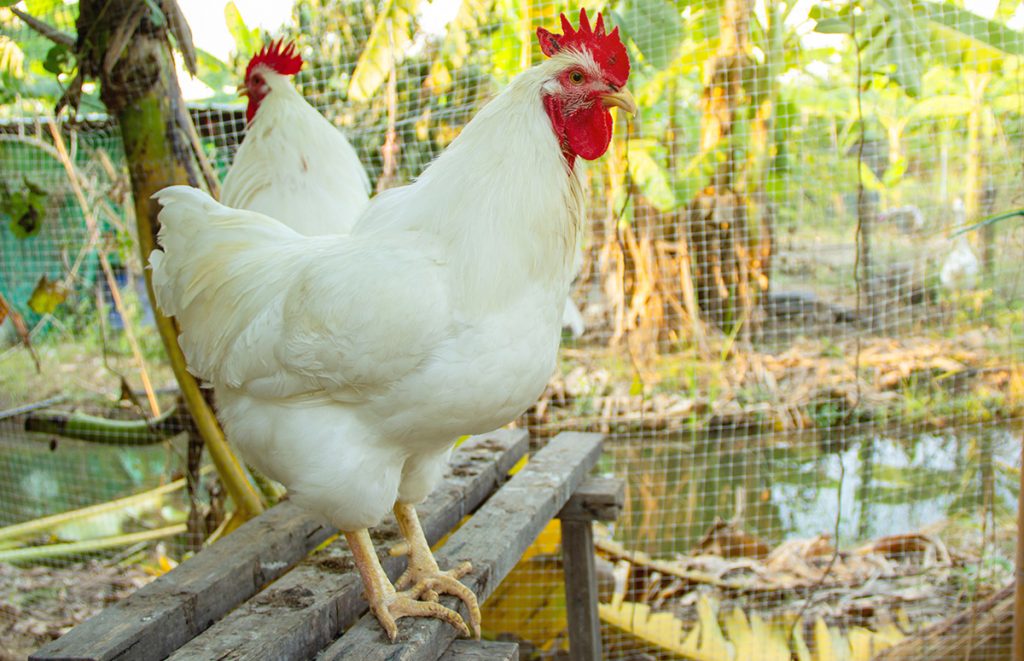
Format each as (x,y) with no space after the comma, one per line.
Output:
(783,489)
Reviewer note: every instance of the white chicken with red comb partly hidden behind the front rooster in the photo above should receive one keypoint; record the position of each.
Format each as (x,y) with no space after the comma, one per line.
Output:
(294,165)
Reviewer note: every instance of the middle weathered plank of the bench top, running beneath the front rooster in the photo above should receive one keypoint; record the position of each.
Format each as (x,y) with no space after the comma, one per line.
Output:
(313,604)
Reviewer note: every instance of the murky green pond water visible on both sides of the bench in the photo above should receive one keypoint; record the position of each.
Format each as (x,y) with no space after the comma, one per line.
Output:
(778,487)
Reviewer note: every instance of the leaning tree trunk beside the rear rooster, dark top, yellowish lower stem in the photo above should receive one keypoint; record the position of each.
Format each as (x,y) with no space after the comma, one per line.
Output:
(123,46)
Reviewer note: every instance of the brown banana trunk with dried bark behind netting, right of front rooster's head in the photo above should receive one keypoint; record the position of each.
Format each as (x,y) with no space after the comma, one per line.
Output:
(730,249)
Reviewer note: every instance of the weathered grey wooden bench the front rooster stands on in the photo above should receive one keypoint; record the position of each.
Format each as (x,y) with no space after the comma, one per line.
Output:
(260,595)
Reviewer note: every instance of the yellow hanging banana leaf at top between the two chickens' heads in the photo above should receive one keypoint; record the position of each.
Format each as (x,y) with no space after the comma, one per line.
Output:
(391,36)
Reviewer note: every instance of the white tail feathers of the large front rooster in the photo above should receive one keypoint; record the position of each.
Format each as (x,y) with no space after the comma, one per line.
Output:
(220,272)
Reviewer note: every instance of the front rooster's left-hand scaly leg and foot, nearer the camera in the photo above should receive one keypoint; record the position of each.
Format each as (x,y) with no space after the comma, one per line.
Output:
(388,604)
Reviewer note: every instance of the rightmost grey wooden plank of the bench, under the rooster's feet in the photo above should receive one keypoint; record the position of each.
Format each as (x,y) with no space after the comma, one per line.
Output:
(494,540)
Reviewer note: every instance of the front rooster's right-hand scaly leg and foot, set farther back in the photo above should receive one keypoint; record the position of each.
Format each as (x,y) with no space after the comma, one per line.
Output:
(423,575)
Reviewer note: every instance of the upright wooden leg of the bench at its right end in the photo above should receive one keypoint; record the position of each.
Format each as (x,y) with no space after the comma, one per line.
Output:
(581,590)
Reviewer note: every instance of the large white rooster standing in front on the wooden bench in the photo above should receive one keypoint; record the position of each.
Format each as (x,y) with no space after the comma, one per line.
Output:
(346,366)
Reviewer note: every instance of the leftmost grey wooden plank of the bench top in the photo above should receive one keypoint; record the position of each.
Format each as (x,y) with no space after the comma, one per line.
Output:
(162,616)
